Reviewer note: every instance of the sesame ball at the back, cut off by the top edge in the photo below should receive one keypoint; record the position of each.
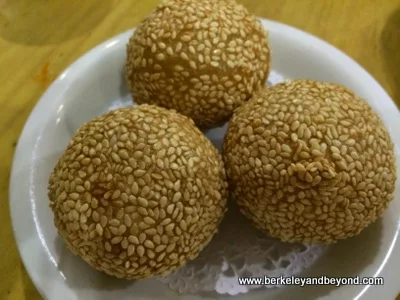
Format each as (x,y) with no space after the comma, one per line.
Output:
(202,58)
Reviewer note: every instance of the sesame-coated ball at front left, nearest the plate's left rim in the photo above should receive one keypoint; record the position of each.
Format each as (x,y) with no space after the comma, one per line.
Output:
(138,192)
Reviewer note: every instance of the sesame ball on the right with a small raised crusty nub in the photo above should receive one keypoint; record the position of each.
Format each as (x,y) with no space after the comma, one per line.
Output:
(309,162)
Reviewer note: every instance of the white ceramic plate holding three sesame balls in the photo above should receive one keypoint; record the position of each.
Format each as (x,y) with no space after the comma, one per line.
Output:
(94,83)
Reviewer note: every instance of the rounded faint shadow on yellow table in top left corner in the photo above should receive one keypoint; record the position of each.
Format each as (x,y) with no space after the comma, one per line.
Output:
(28,22)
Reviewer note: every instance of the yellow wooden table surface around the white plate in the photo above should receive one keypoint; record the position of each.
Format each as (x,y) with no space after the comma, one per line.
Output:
(39,39)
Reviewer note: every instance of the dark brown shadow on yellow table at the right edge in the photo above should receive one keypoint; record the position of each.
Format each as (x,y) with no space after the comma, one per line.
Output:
(390,41)
